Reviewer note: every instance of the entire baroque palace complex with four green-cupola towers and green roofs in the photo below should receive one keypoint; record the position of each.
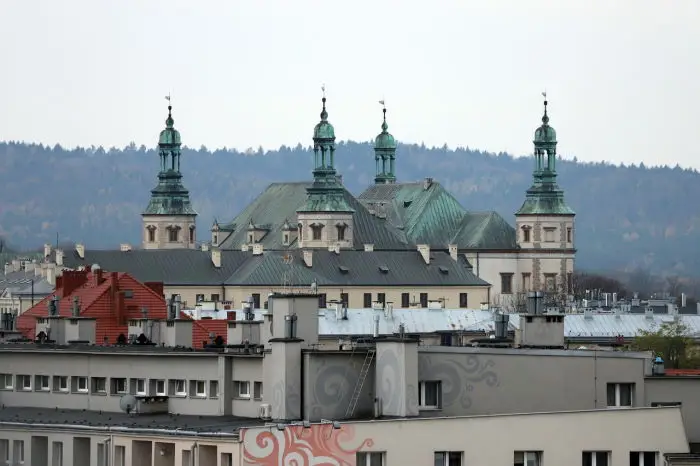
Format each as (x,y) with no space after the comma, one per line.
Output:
(410,243)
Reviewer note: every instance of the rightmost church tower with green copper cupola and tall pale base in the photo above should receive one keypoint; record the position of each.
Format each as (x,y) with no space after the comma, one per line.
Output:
(545,222)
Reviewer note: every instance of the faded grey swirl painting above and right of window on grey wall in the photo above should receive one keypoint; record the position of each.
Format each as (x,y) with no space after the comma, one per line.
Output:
(459,375)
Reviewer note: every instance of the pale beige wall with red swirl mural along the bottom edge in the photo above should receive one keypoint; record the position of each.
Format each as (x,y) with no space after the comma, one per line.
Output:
(560,437)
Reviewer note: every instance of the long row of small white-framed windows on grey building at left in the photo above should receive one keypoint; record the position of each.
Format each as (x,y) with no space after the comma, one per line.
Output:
(121,386)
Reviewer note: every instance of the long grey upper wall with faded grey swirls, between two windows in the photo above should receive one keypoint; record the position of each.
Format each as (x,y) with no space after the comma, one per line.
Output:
(489,381)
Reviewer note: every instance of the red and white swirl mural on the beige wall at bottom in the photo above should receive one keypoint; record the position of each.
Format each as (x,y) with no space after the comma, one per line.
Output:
(318,445)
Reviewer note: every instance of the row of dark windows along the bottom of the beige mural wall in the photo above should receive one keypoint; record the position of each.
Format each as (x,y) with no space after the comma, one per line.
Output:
(520,458)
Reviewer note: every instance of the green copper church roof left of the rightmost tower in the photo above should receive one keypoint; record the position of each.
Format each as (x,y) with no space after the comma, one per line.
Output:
(428,214)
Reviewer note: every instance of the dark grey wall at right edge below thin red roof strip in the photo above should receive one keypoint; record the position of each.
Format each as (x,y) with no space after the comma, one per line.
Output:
(684,390)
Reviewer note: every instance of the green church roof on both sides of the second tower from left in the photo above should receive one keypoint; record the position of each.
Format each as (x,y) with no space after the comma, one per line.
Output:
(280,202)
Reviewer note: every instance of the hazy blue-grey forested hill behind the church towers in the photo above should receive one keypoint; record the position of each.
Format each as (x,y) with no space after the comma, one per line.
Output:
(626,216)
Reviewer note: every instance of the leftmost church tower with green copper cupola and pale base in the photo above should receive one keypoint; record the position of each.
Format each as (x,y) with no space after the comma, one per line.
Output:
(169,220)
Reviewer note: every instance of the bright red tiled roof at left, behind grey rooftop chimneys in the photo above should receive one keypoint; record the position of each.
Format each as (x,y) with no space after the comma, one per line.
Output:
(99,296)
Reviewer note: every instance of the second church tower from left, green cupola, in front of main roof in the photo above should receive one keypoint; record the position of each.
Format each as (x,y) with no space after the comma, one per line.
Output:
(325,219)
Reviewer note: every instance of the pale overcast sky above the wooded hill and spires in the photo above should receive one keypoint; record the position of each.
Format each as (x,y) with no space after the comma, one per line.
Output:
(622,76)
